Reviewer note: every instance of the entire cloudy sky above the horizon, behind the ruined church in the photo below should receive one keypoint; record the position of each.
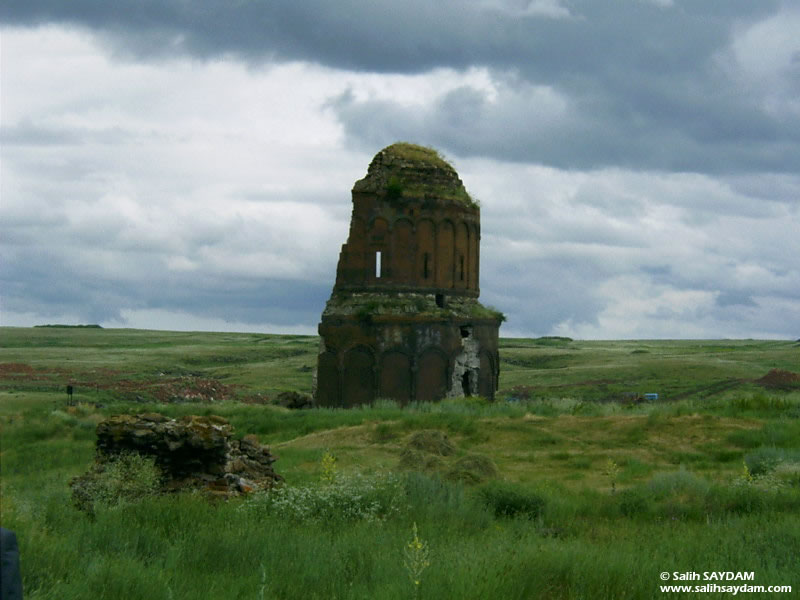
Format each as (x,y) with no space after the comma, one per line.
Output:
(179,164)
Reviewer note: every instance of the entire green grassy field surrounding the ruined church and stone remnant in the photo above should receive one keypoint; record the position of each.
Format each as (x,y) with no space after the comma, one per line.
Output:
(561,488)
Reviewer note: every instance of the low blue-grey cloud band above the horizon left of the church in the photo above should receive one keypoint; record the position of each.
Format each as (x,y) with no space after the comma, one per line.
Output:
(48,284)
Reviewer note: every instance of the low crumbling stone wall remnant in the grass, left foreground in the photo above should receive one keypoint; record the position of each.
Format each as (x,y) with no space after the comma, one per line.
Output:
(192,453)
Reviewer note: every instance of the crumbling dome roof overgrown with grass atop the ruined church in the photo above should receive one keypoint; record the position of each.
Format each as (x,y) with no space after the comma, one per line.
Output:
(405,170)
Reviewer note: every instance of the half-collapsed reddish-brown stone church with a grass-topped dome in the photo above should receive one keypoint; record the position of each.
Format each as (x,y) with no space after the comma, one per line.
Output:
(404,321)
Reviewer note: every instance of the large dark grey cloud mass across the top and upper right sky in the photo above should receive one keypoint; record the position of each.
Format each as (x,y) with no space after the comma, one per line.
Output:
(643,85)
